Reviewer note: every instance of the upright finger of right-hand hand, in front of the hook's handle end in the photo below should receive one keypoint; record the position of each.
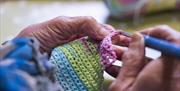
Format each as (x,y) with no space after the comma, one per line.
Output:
(132,61)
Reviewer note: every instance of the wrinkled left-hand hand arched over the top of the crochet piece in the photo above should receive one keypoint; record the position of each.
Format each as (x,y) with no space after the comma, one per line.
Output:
(65,29)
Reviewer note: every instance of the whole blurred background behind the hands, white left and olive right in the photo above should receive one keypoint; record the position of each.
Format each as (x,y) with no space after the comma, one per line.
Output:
(129,15)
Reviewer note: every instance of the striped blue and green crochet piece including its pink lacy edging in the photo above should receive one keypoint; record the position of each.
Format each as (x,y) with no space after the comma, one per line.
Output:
(78,66)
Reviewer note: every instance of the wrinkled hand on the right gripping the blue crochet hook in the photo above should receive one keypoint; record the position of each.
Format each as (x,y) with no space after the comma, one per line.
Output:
(162,74)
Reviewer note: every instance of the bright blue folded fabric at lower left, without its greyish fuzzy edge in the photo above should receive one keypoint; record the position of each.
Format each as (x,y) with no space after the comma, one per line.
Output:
(11,76)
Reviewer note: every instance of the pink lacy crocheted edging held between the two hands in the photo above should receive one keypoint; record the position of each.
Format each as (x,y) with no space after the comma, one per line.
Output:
(108,55)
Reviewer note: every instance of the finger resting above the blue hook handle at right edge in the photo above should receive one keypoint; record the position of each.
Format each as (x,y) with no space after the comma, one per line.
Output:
(163,32)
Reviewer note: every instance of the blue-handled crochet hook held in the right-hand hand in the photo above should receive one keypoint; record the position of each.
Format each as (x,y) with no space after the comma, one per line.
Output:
(163,46)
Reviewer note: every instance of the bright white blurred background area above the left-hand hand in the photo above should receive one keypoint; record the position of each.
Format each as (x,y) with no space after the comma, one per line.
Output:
(18,14)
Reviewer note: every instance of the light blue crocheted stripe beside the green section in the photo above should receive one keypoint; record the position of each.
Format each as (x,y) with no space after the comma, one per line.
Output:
(64,69)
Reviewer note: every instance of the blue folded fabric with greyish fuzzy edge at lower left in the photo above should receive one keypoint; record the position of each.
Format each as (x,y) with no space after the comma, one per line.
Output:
(24,68)
